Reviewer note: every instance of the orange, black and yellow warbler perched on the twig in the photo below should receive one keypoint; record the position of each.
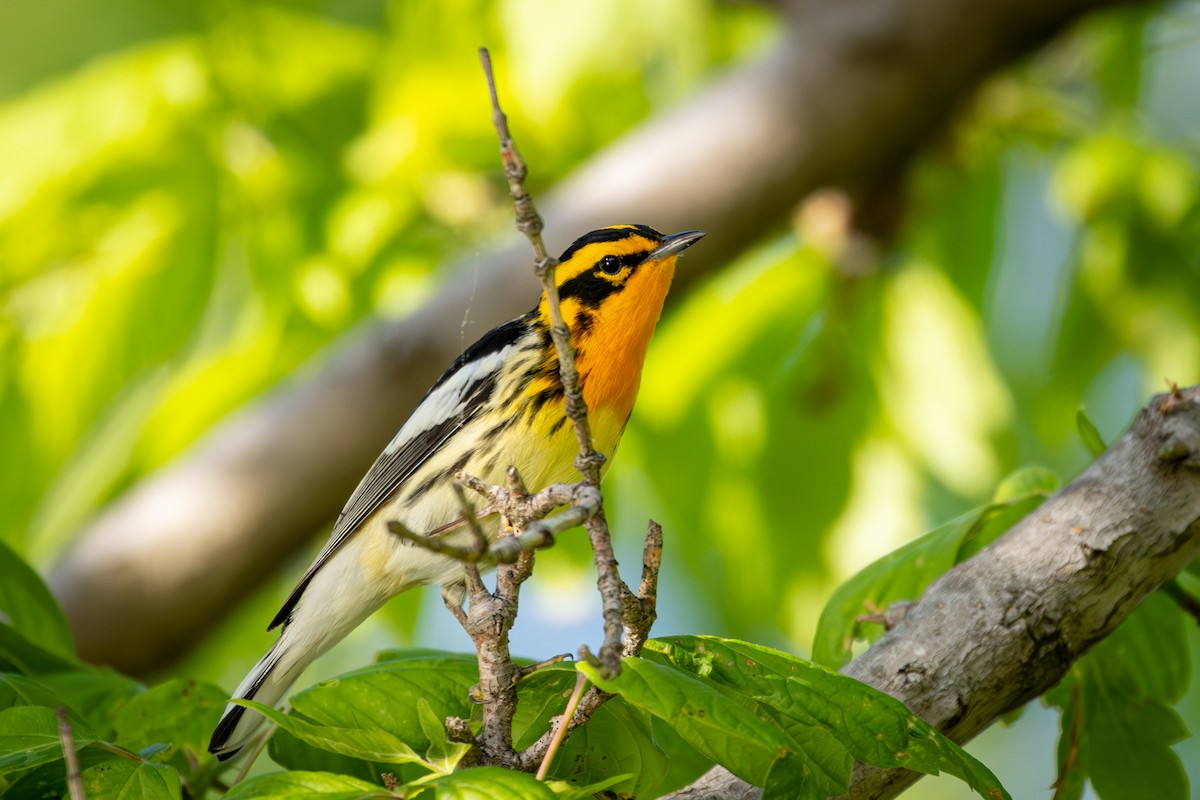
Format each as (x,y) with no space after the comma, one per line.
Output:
(501,404)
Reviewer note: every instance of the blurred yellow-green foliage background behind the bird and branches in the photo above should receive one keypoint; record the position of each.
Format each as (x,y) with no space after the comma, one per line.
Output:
(196,200)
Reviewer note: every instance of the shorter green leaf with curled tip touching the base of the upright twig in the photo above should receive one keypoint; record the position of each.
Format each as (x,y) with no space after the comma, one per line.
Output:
(718,725)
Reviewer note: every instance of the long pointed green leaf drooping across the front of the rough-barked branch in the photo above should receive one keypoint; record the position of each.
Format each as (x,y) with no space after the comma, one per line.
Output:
(849,715)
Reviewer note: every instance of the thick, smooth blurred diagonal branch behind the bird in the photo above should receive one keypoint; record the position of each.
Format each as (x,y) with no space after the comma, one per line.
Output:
(847,97)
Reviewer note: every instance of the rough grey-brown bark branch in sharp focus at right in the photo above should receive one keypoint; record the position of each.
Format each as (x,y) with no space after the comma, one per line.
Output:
(1005,627)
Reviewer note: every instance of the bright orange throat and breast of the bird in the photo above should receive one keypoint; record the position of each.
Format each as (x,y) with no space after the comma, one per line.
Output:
(611,341)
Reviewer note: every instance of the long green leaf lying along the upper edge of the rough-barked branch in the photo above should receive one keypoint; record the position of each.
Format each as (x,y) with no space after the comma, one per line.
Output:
(905,574)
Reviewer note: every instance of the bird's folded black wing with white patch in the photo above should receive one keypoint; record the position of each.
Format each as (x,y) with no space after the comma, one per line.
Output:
(459,395)
